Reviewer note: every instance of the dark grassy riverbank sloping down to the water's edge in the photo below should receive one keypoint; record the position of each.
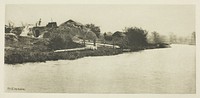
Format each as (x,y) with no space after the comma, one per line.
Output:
(26,49)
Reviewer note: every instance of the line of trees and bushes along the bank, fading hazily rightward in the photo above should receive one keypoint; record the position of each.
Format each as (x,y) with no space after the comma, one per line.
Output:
(129,38)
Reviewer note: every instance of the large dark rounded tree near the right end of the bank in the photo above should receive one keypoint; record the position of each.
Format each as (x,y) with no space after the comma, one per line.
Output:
(136,36)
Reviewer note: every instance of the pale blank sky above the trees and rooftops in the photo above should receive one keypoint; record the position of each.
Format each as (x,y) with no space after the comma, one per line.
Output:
(179,19)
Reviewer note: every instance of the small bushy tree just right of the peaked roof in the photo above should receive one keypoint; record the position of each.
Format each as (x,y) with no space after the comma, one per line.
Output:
(94,29)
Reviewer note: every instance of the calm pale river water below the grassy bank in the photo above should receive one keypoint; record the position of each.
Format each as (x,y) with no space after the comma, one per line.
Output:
(169,70)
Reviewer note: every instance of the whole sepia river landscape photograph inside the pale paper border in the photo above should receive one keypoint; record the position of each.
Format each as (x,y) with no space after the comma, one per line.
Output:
(100,48)
